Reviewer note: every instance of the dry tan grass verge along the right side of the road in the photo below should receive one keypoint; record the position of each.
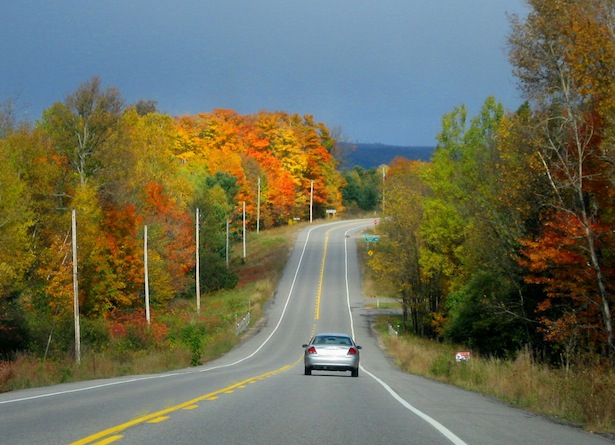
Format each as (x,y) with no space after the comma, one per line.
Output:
(585,397)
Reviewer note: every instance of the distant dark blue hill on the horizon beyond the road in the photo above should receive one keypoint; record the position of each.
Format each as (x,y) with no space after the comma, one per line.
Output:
(375,155)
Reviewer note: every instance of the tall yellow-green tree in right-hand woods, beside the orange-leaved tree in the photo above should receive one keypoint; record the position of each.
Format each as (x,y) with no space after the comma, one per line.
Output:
(471,238)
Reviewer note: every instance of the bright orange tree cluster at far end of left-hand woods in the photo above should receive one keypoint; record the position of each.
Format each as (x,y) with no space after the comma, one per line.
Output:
(287,152)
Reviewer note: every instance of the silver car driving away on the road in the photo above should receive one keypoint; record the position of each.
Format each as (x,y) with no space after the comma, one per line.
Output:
(331,352)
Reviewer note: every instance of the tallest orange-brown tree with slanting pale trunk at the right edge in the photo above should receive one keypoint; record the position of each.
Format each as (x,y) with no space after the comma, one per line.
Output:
(564,57)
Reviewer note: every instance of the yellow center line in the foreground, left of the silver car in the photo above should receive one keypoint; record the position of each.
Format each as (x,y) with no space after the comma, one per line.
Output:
(102,435)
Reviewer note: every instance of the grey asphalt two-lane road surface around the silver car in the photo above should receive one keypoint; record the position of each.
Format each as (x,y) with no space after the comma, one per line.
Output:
(257,394)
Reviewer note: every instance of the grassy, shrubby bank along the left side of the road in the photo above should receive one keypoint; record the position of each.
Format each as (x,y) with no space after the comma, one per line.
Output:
(179,337)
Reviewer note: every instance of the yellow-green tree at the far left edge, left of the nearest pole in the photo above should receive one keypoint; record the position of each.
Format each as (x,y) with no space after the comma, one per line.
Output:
(30,173)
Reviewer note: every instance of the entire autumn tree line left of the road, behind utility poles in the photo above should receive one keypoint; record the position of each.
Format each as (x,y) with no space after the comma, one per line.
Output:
(121,167)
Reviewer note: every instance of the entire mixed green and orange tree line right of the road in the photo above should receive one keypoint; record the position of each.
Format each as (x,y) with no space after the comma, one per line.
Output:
(506,239)
